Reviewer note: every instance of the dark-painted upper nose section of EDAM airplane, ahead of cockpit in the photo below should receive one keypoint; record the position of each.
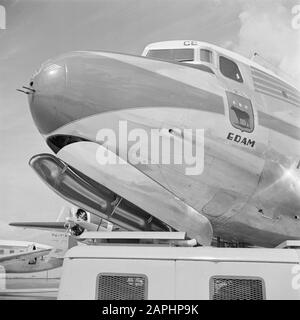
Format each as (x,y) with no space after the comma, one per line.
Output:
(82,84)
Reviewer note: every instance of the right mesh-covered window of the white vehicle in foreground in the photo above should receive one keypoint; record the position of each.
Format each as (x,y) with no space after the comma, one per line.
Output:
(236,288)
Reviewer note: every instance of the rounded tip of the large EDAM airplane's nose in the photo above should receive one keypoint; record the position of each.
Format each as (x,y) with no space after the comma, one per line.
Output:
(49,84)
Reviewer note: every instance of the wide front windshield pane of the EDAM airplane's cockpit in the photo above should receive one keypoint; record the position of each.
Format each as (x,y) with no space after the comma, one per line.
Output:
(180,55)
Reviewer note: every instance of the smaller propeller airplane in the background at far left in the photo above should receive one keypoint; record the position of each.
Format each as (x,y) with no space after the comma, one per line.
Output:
(32,256)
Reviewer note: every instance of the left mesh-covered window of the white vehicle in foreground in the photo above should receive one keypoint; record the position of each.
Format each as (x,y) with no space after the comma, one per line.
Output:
(121,286)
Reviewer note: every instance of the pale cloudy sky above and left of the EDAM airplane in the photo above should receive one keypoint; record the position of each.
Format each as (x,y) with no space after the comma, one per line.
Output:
(37,30)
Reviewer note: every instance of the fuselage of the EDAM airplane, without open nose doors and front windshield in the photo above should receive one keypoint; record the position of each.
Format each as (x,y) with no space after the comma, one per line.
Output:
(249,188)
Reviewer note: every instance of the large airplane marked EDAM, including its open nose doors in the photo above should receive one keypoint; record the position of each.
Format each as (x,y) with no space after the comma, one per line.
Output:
(248,190)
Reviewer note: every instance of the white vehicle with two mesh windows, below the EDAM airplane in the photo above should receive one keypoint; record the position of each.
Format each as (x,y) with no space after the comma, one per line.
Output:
(160,266)
